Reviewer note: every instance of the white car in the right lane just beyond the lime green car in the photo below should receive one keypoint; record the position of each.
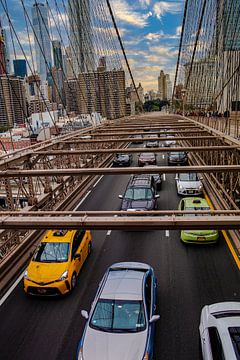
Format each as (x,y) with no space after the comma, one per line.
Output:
(189,184)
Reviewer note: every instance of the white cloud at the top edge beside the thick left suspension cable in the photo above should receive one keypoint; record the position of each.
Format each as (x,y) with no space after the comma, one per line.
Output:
(124,12)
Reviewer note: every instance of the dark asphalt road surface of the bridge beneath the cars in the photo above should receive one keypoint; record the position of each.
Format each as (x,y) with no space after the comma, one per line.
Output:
(188,278)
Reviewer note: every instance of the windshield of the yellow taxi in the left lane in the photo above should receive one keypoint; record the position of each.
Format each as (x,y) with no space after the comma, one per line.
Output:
(52,252)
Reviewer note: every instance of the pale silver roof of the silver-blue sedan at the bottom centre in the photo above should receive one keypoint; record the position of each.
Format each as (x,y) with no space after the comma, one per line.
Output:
(123,284)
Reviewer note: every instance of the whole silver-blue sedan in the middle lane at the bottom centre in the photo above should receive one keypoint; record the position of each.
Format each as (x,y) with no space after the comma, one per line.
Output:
(122,318)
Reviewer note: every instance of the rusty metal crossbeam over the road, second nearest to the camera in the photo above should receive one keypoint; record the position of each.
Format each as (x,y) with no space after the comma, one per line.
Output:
(114,171)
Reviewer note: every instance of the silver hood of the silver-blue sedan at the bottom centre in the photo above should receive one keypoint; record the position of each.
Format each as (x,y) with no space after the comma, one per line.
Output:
(117,346)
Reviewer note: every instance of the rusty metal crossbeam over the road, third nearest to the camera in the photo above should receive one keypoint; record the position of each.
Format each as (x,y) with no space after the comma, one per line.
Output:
(139,150)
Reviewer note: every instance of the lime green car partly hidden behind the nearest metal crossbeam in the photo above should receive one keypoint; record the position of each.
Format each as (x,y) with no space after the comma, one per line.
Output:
(197,236)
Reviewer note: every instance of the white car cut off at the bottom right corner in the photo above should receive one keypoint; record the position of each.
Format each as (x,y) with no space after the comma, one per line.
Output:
(220,331)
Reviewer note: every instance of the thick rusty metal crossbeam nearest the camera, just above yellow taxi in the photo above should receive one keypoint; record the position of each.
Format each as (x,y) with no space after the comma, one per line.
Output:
(122,222)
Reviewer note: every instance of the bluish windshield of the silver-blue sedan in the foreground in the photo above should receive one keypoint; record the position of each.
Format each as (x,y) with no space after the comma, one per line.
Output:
(119,316)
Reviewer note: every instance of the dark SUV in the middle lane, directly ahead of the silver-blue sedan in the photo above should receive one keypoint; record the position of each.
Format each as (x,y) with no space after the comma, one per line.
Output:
(140,194)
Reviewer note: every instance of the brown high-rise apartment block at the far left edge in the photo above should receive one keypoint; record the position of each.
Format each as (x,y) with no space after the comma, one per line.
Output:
(13,108)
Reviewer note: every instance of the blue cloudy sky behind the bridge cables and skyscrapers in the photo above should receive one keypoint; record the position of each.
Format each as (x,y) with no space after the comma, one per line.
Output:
(150,31)
